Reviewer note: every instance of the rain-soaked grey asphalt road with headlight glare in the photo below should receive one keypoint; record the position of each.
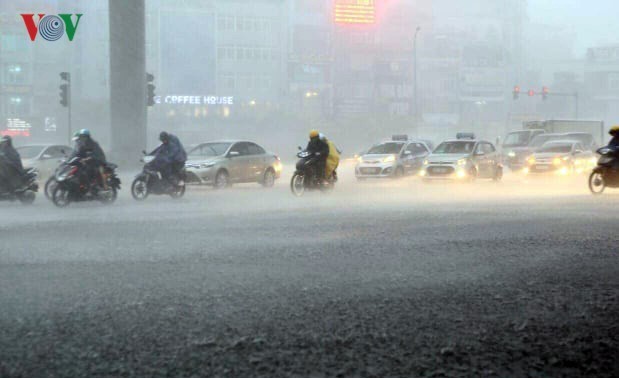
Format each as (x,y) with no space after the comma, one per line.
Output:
(376,279)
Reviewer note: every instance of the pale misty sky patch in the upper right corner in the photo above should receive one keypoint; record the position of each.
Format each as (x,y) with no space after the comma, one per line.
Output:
(595,21)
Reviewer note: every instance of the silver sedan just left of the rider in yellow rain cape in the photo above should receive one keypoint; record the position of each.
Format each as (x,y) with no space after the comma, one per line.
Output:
(222,163)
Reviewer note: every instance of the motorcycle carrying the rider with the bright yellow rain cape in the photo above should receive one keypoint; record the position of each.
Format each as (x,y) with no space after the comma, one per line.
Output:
(305,177)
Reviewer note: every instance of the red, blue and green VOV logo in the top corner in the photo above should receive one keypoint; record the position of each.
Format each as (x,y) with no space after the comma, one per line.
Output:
(51,27)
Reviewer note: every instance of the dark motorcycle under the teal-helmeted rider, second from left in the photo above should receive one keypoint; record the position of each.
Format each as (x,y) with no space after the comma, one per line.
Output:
(73,184)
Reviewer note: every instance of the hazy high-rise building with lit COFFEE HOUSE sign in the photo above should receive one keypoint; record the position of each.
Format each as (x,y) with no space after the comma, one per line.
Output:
(215,60)
